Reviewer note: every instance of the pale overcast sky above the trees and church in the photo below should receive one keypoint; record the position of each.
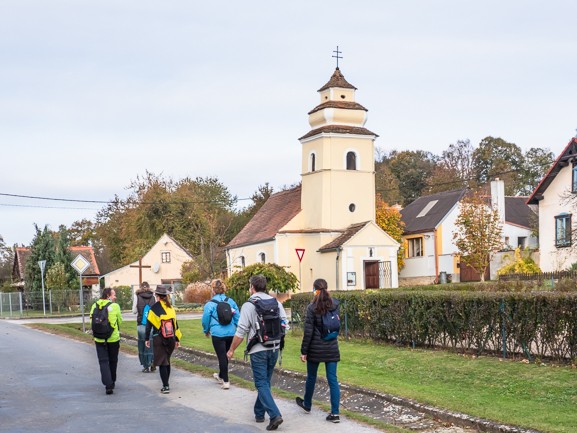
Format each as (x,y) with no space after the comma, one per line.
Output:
(95,92)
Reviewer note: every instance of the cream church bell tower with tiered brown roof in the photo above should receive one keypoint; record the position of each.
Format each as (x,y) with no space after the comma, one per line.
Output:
(338,166)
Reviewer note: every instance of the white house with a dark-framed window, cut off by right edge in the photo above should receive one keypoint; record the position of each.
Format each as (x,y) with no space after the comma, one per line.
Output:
(556,197)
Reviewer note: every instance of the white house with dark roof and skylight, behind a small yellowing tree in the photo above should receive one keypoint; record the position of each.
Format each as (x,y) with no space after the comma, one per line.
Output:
(430,252)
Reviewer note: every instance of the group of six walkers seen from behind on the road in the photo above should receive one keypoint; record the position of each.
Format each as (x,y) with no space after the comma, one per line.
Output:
(227,326)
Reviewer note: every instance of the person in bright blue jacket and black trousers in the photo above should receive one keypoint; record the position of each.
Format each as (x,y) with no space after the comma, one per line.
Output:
(221,334)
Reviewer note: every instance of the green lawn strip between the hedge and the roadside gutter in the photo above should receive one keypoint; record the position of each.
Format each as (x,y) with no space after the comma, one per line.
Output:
(543,397)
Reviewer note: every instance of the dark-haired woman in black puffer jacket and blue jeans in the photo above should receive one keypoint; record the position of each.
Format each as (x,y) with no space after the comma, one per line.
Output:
(314,350)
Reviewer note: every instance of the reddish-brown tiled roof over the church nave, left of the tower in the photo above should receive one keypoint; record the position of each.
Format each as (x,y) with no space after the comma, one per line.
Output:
(277,211)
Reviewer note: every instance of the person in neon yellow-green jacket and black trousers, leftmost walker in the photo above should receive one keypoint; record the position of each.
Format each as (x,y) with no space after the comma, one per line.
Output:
(107,349)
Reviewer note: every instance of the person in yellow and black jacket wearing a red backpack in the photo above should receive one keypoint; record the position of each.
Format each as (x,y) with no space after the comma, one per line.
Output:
(163,326)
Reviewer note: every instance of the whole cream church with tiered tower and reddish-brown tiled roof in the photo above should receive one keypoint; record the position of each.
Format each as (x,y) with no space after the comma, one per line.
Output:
(325,227)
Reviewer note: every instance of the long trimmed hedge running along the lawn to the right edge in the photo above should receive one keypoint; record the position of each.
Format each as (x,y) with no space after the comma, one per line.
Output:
(534,324)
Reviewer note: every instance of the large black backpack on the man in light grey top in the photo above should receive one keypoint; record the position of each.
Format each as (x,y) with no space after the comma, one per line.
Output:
(269,329)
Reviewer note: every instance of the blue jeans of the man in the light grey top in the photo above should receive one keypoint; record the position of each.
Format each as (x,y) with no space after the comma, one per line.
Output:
(262,364)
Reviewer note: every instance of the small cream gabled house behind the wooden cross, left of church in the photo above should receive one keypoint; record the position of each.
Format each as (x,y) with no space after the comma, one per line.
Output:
(160,265)
